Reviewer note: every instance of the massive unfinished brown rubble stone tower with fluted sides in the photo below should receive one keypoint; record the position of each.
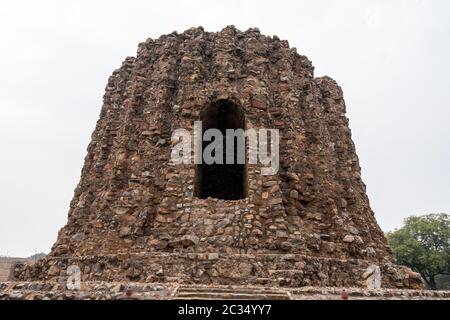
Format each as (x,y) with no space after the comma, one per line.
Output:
(136,216)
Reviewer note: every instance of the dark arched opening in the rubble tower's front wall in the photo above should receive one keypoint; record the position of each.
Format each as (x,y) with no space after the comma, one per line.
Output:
(222,181)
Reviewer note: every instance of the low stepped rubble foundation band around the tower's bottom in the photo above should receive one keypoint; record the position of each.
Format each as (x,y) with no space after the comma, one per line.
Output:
(284,270)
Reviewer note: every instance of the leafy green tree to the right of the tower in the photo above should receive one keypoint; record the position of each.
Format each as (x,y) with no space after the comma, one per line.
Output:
(423,244)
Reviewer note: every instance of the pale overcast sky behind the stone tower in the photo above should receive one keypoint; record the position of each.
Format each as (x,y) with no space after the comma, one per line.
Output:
(390,57)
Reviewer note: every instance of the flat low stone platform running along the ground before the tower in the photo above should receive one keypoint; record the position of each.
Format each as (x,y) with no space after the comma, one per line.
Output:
(167,291)
